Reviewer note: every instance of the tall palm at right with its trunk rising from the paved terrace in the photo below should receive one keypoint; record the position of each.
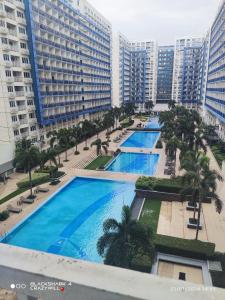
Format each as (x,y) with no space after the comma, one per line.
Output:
(201,180)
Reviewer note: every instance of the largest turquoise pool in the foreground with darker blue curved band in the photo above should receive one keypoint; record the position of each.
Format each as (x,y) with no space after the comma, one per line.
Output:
(70,222)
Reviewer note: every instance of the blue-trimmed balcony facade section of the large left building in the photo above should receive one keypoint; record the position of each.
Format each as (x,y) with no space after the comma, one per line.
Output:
(71,62)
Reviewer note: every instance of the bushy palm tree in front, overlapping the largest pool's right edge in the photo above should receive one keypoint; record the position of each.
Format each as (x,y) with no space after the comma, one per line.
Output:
(124,241)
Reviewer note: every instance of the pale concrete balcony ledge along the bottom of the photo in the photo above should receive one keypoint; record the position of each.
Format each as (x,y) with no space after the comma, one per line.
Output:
(87,281)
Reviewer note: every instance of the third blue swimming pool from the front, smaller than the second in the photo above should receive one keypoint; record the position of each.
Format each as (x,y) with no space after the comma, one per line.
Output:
(141,139)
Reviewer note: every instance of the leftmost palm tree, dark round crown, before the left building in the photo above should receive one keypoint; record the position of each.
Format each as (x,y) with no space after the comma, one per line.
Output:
(27,155)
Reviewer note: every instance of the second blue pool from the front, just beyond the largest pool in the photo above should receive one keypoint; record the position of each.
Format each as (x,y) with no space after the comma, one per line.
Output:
(138,163)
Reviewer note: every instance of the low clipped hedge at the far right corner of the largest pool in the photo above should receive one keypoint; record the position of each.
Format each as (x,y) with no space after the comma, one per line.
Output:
(159,184)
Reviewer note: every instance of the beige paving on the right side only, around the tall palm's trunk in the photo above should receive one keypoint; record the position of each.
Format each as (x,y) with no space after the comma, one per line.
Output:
(174,217)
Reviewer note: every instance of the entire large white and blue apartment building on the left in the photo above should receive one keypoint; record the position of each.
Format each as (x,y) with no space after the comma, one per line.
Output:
(55,60)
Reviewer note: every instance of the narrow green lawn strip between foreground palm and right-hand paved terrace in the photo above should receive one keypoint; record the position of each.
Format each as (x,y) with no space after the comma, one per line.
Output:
(150,213)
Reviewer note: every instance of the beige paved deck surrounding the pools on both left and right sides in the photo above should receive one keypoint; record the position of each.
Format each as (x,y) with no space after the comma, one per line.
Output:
(173,216)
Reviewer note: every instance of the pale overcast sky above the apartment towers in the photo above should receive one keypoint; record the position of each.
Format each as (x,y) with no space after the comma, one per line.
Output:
(161,20)
